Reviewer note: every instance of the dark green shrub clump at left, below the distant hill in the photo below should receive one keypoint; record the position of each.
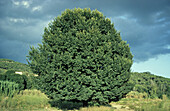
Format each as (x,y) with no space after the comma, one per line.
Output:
(21,80)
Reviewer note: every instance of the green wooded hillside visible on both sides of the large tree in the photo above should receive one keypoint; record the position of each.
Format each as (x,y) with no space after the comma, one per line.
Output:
(154,86)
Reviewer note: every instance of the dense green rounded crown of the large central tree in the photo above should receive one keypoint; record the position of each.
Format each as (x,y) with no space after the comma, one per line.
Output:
(82,58)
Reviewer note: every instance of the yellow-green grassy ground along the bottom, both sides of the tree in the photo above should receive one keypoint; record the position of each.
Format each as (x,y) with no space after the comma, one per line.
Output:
(34,100)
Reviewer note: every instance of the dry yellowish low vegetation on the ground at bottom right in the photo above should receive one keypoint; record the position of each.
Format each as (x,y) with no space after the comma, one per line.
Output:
(144,104)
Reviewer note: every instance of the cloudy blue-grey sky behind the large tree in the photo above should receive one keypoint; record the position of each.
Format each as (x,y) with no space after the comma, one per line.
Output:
(144,24)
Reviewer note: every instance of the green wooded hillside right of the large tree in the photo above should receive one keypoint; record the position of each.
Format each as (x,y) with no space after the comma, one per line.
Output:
(154,86)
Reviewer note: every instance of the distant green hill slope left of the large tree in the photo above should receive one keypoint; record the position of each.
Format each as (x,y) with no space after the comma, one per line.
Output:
(8,64)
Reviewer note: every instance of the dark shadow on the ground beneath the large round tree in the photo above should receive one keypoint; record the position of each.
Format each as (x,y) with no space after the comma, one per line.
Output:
(66,105)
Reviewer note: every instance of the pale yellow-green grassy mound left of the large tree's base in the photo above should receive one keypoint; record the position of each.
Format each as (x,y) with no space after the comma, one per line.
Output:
(27,100)
